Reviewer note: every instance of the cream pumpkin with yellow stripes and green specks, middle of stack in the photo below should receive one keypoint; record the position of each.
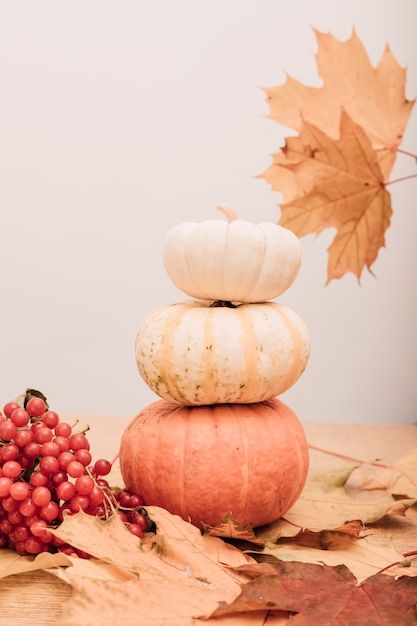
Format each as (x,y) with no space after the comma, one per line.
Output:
(195,354)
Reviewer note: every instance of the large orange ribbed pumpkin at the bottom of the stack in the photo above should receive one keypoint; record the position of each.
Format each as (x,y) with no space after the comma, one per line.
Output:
(201,462)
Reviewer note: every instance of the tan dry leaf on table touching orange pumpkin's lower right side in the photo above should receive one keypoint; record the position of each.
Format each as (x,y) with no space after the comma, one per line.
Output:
(325,505)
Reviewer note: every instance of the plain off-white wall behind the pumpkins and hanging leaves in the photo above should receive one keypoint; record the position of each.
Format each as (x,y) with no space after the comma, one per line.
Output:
(121,119)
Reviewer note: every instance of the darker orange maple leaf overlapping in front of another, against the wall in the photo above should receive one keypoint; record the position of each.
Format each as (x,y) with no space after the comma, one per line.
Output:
(334,183)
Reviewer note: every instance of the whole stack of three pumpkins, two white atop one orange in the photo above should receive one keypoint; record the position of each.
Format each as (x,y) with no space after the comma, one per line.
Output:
(219,441)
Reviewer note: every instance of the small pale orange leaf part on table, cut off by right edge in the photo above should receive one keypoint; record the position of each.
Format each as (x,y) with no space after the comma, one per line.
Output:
(398,479)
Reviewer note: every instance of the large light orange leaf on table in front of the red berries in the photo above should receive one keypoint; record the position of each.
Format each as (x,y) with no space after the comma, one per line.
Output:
(177,574)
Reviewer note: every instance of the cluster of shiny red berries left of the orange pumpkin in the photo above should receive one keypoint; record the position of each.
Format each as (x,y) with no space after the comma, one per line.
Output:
(46,470)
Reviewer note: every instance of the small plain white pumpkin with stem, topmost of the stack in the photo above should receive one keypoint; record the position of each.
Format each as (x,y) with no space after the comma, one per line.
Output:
(235,261)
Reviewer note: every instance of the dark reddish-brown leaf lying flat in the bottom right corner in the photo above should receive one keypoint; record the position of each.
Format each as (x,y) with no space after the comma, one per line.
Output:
(319,594)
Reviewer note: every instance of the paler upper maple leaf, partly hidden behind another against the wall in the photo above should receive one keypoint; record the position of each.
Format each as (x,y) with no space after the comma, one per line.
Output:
(373,97)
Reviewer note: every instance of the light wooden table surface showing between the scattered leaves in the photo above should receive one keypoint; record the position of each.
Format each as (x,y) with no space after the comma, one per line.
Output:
(36,599)
